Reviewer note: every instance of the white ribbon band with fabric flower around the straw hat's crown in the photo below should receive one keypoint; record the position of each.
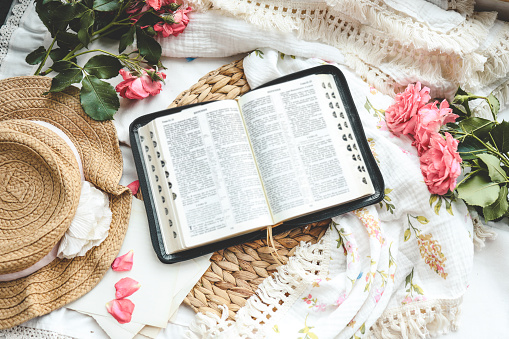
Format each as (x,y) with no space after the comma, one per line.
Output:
(89,226)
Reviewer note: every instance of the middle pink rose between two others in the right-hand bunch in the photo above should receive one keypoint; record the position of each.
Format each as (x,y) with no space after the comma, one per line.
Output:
(429,120)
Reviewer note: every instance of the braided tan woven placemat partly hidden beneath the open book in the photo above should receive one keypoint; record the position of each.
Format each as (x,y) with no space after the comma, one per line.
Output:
(235,273)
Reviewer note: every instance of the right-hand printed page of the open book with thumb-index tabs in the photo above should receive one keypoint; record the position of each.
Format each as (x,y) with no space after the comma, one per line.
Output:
(306,151)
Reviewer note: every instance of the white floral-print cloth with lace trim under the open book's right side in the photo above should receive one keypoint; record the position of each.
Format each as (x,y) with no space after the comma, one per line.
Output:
(397,268)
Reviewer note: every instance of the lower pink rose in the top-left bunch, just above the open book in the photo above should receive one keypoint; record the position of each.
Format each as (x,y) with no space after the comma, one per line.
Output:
(139,87)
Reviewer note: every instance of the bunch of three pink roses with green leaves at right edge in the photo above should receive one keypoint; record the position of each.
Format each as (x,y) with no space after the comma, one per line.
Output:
(461,156)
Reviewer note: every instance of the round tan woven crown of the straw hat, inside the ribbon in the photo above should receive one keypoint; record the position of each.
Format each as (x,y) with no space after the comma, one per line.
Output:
(40,188)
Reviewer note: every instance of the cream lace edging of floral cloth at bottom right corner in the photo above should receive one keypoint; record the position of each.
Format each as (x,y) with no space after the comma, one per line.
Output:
(418,320)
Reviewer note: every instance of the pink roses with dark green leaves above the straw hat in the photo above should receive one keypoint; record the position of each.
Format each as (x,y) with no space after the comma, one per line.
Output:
(75,24)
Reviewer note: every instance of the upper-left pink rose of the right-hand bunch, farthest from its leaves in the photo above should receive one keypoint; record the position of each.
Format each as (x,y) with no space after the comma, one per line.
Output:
(401,116)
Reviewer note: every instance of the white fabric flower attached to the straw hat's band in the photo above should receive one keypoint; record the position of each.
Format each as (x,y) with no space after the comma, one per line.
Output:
(90,225)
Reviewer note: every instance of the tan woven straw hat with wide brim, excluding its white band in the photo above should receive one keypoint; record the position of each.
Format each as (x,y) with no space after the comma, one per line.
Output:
(39,192)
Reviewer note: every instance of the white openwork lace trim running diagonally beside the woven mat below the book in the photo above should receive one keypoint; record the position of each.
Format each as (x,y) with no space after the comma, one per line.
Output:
(273,298)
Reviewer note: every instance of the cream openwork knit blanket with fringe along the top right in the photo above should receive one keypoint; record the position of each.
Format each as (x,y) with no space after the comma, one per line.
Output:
(387,43)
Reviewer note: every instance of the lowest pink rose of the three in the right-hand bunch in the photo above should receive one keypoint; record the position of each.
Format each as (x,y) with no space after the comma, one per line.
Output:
(440,165)
